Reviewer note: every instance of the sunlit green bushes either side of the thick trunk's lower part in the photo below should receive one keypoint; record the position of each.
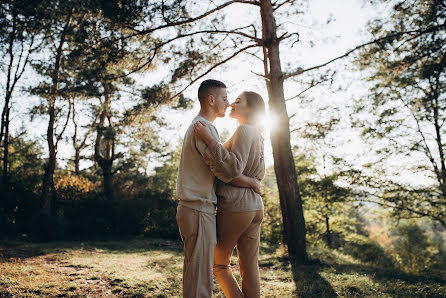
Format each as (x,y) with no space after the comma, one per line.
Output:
(323,199)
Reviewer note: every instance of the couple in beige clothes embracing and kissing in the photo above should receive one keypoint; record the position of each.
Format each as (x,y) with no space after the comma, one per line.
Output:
(210,235)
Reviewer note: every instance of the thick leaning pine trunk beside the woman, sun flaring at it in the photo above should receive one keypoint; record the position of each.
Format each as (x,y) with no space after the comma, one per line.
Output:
(290,200)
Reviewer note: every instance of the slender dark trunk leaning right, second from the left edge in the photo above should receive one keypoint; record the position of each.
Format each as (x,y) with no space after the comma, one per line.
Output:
(48,188)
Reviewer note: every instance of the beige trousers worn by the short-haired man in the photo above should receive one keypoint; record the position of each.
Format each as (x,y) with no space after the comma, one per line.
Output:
(198,231)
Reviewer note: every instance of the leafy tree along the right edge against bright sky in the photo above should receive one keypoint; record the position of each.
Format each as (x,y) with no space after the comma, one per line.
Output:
(402,117)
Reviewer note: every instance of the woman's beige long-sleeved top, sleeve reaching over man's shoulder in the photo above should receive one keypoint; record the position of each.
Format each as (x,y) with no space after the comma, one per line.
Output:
(242,153)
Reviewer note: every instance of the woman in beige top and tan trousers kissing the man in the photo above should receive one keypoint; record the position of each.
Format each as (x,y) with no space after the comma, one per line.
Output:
(240,210)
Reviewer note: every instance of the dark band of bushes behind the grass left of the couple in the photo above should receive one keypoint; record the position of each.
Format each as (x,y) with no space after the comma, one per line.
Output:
(143,206)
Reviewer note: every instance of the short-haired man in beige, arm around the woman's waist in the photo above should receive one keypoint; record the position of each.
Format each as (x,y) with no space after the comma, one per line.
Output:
(196,194)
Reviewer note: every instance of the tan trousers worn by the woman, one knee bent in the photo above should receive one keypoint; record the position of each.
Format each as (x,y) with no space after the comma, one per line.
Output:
(241,229)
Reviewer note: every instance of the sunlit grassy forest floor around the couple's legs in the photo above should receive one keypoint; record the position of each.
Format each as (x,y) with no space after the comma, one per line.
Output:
(139,267)
